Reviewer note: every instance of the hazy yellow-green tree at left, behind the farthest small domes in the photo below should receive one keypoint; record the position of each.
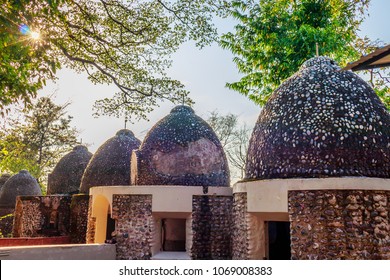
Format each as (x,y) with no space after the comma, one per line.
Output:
(38,140)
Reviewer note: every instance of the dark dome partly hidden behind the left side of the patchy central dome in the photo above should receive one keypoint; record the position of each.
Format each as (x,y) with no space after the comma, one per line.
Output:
(110,165)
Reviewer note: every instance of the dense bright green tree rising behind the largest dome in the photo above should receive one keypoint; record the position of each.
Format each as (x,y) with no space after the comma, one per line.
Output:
(274,37)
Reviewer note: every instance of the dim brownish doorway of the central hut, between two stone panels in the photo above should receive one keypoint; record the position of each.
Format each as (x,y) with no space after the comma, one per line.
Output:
(174,235)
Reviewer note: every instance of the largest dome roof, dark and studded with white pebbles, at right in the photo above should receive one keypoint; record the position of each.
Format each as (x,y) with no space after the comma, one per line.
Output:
(321,122)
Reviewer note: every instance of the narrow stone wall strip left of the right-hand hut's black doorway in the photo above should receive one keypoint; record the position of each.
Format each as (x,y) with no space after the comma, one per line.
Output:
(240,227)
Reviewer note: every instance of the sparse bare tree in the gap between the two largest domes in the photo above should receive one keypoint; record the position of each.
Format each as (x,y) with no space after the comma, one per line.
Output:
(234,139)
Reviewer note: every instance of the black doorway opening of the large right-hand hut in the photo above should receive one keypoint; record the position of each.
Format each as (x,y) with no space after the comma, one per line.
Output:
(278,237)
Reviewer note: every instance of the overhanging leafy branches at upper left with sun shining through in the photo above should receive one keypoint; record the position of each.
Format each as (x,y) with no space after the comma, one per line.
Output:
(126,43)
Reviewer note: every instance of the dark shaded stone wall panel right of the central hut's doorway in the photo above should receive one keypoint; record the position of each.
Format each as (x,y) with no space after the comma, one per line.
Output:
(211,227)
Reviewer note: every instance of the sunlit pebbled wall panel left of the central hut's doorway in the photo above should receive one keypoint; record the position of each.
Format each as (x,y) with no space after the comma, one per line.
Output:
(134,226)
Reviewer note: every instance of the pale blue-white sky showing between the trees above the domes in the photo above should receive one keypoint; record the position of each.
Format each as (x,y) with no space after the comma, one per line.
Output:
(204,73)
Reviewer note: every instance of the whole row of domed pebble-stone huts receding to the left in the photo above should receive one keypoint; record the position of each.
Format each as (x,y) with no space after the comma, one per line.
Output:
(317,182)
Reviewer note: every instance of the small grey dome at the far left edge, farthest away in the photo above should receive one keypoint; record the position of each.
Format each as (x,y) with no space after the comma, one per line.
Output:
(19,184)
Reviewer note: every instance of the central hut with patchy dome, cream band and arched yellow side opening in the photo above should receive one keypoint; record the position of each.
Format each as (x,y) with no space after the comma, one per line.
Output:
(179,203)
